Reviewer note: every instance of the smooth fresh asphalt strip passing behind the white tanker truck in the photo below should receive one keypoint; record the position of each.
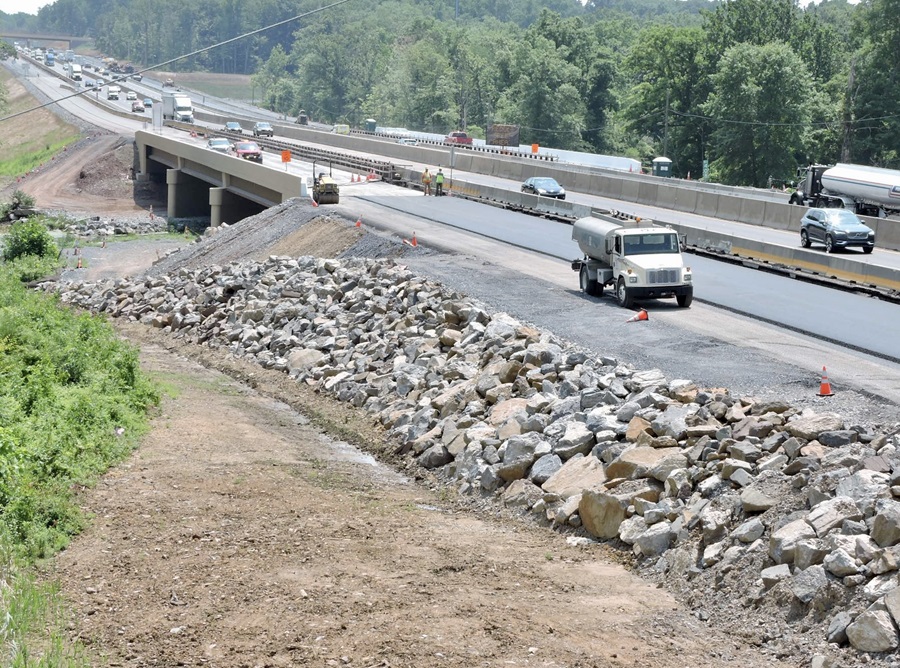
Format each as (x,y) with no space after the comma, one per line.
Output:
(856,321)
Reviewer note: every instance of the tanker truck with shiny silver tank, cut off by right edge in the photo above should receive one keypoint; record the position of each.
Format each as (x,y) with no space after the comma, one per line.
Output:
(867,191)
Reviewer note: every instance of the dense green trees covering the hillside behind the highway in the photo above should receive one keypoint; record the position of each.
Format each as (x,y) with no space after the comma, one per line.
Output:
(752,88)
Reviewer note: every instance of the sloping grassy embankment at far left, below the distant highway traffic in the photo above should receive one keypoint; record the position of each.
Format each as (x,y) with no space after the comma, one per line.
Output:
(29,140)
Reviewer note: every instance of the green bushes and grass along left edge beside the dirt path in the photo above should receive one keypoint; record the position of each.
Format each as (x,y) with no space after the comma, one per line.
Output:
(73,402)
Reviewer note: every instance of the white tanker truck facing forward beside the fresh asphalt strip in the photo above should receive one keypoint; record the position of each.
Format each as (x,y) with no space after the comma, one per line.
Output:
(638,259)
